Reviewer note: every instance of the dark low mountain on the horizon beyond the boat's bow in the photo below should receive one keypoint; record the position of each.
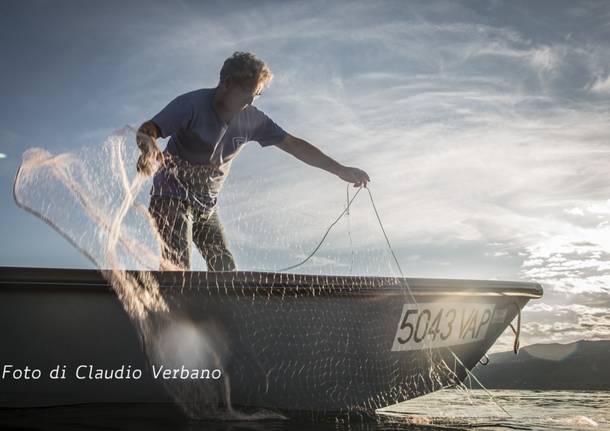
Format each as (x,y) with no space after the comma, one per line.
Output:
(580,365)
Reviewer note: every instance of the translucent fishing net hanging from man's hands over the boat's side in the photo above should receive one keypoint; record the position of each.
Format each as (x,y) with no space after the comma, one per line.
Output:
(284,341)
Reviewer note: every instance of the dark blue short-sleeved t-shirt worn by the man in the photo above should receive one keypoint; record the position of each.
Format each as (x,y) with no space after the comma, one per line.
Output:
(203,143)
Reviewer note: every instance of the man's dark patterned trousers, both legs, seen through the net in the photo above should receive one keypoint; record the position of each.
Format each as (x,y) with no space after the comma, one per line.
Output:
(178,223)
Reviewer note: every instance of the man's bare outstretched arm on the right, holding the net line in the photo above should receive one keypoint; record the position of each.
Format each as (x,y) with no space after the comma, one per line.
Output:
(311,155)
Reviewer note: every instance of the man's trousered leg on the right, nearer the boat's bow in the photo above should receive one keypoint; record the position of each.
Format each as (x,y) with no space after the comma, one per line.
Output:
(209,238)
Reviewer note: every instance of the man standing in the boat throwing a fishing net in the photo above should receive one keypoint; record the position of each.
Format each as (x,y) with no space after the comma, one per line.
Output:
(207,129)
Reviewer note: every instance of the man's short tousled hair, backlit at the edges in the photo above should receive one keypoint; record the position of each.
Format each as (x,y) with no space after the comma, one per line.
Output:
(246,69)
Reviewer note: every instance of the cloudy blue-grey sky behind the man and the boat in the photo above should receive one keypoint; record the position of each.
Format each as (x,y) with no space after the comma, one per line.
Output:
(484,126)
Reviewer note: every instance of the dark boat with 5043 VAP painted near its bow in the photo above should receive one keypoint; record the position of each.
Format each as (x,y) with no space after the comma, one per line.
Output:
(285,342)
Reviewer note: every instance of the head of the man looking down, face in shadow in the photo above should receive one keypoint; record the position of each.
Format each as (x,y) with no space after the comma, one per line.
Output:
(243,77)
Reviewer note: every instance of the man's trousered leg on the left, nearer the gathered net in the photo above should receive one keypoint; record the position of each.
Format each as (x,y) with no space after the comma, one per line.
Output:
(172,219)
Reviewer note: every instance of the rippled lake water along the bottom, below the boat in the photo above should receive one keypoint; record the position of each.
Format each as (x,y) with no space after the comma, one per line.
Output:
(448,409)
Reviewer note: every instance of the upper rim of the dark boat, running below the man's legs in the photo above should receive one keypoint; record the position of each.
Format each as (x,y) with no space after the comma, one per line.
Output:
(272,283)
